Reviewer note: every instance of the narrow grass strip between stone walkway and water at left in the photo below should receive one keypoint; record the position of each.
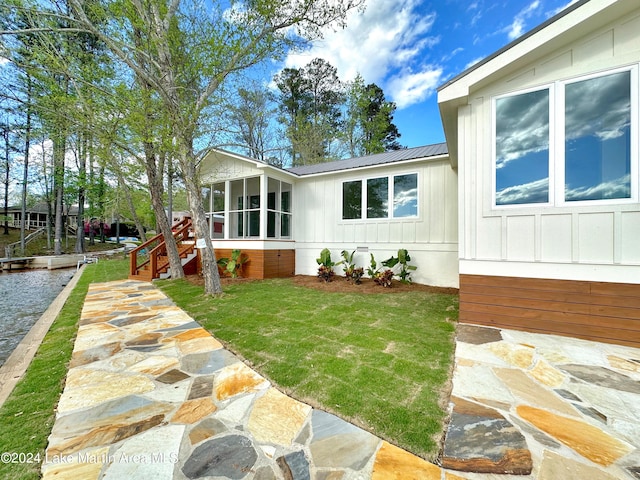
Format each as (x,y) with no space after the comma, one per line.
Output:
(27,415)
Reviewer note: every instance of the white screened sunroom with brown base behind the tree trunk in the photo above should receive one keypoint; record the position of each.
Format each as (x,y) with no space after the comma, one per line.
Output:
(249,208)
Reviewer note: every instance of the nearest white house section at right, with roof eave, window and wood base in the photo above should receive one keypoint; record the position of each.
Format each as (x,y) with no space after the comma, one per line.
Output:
(545,137)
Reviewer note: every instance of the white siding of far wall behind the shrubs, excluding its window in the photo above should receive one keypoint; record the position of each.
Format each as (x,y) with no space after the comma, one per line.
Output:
(431,238)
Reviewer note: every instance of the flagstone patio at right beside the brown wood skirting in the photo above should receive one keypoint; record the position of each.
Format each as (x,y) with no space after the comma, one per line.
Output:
(543,406)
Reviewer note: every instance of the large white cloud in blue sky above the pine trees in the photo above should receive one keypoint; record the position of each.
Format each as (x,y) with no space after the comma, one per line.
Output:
(386,44)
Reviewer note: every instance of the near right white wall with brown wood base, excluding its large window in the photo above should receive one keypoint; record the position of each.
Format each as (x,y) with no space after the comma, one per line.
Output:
(567,246)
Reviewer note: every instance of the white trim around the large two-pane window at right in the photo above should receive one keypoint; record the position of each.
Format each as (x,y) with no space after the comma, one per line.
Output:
(557,143)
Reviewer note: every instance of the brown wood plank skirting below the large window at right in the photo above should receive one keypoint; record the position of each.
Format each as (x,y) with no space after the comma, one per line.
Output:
(599,311)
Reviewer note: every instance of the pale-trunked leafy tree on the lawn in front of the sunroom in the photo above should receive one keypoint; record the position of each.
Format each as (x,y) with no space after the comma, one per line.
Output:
(189,51)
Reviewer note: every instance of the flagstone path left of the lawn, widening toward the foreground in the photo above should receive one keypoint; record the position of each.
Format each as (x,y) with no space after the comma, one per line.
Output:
(152,395)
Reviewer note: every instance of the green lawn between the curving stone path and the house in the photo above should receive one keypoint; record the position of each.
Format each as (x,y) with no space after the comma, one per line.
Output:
(381,361)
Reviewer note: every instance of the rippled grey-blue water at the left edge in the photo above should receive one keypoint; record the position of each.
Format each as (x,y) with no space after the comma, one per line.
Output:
(24,296)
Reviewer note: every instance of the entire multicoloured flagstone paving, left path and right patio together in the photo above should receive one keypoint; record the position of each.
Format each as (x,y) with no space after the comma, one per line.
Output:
(151,395)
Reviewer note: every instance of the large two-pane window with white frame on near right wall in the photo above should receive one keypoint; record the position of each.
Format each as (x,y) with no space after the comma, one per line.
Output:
(569,142)
